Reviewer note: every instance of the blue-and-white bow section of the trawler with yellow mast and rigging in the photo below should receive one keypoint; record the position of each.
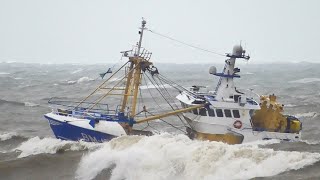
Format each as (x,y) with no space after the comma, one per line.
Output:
(97,117)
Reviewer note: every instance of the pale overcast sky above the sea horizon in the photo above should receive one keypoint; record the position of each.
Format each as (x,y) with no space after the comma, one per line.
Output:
(84,31)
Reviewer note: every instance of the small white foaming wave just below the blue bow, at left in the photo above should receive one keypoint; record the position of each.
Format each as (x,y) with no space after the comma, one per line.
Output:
(36,145)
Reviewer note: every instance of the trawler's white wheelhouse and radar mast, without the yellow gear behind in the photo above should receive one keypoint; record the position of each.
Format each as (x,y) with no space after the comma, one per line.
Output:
(228,115)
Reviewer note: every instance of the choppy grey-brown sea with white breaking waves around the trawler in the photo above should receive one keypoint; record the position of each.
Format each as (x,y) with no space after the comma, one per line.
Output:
(28,149)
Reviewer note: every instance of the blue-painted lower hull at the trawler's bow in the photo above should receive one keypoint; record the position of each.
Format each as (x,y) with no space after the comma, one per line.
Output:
(66,131)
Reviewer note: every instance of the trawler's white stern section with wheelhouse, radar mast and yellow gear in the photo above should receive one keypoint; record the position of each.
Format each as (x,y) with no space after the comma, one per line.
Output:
(234,116)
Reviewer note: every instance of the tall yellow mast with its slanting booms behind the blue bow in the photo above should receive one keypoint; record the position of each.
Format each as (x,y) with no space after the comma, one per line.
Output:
(138,63)
